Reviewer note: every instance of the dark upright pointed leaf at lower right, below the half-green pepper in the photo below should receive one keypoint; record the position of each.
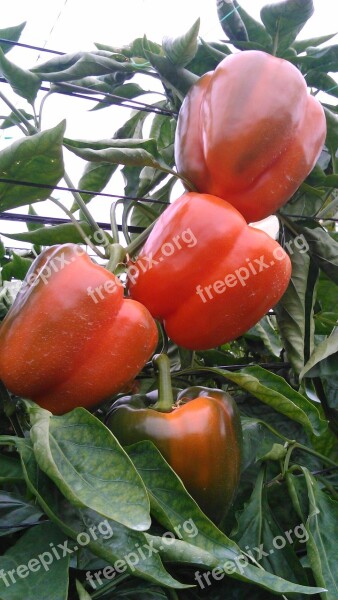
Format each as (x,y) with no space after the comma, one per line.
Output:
(258,530)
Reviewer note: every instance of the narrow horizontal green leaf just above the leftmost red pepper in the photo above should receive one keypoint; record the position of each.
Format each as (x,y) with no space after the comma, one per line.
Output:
(58,234)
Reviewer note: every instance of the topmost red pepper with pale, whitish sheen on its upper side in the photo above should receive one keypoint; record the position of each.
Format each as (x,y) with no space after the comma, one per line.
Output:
(250,132)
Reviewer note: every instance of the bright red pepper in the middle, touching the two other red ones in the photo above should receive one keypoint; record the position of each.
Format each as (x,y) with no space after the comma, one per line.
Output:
(185,289)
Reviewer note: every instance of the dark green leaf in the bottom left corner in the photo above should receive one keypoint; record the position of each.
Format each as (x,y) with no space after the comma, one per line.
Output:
(35,574)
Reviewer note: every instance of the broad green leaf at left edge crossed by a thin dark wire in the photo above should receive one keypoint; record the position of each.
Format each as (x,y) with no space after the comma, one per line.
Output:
(36,159)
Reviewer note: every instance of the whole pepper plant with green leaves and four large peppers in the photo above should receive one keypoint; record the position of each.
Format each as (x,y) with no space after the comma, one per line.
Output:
(104,478)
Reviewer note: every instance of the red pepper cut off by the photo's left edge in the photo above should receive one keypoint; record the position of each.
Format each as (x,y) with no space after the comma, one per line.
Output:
(61,346)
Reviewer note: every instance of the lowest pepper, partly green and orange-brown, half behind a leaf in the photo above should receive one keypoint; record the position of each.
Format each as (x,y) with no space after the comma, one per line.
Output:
(201,439)
